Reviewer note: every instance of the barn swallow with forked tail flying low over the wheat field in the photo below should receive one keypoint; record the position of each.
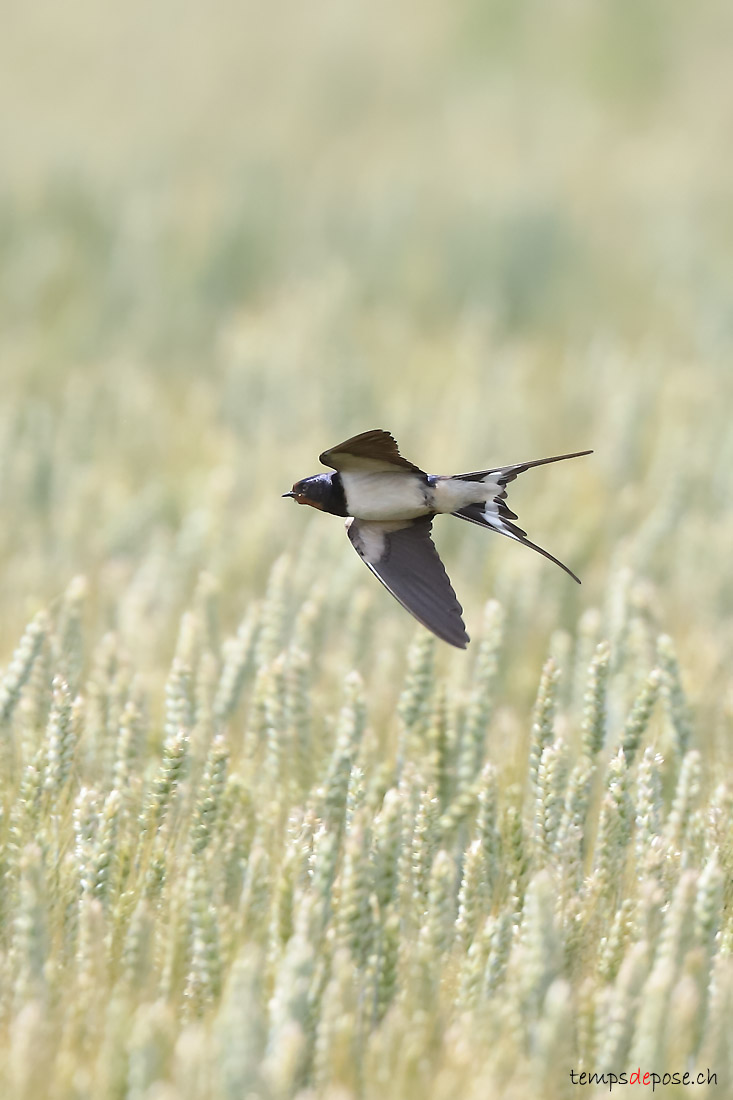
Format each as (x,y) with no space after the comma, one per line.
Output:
(391,504)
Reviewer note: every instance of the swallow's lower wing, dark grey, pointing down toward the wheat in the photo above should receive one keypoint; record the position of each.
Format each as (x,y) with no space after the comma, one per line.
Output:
(402,555)
